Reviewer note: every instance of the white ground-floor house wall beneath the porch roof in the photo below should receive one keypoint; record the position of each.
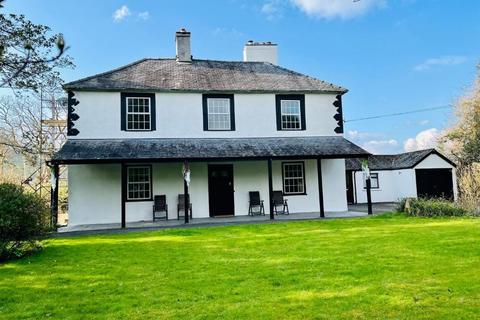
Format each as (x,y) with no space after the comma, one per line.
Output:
(95,190)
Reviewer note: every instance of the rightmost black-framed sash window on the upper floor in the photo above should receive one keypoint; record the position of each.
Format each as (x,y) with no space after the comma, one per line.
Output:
(290,112)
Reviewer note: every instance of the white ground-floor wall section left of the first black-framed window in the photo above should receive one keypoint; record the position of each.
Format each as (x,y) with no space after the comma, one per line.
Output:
(94,194)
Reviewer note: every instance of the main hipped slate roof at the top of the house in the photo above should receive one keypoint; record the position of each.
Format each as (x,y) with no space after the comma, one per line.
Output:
(203,76)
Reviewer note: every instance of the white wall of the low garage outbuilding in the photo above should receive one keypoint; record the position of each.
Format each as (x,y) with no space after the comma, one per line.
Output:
(398,184)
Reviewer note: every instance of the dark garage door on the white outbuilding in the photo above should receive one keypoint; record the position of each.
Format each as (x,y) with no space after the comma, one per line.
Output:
(434,183)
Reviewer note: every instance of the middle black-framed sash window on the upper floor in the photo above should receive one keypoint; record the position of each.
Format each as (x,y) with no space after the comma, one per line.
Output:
(218,112)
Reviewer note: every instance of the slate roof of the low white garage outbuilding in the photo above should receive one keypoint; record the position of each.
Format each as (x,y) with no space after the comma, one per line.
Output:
(393,161)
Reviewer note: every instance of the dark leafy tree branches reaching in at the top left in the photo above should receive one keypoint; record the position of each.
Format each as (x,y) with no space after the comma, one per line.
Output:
(29,56)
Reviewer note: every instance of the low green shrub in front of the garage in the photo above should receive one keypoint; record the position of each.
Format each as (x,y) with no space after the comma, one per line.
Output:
(434,208)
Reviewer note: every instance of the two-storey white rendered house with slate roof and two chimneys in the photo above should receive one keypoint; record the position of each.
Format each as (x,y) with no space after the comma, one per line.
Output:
(239,126)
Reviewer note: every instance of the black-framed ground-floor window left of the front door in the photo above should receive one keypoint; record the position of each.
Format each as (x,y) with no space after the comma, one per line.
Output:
(139,183)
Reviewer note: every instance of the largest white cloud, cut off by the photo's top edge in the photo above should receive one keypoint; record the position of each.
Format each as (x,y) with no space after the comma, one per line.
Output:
(344,9)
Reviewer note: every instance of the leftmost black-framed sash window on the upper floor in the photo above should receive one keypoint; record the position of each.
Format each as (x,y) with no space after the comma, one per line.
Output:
(138,111)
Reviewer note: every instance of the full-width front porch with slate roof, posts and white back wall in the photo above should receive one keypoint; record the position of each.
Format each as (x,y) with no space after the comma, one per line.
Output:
(100,178)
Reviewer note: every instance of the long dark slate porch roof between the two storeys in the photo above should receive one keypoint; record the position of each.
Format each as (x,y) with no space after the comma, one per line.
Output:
(115,150)
